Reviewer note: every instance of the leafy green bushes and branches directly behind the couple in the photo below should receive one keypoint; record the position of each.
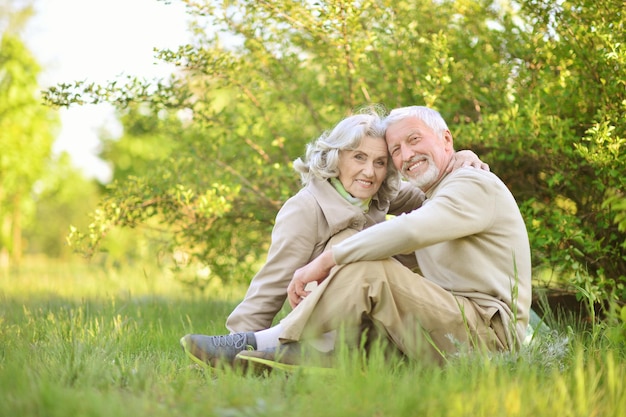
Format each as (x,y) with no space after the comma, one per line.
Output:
(272,75)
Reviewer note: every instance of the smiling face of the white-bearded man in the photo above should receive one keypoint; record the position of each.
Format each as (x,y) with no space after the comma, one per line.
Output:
(418,152)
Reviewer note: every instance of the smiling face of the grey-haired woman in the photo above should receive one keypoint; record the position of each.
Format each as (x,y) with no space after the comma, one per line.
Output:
(362,171)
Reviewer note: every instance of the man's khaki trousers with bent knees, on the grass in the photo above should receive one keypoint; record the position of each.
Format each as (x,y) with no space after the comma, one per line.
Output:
(423,320)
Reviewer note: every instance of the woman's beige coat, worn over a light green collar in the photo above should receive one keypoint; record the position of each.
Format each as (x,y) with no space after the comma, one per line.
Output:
(303,227)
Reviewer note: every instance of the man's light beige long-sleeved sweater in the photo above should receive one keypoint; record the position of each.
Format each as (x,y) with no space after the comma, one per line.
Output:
(469,237)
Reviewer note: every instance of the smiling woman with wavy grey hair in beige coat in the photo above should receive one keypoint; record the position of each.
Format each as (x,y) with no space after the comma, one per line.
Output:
(349,185)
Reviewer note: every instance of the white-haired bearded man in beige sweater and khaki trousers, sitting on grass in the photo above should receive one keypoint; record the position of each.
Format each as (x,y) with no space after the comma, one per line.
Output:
(474,286)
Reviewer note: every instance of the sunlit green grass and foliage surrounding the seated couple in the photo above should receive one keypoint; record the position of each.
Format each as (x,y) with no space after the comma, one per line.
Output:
(100,278)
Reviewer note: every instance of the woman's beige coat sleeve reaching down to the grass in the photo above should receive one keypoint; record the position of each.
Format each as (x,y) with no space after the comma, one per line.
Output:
(293,245)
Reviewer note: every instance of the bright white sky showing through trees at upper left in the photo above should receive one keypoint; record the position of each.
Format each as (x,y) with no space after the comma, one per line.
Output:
(100,41)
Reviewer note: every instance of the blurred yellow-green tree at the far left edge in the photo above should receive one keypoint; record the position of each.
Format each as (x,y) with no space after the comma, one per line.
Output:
(26,134)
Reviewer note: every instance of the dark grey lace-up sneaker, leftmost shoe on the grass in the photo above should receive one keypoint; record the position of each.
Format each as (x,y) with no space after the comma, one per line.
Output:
(216,350)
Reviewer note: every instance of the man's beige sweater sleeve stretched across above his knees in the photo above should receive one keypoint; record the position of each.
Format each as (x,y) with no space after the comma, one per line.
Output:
(463,205)
